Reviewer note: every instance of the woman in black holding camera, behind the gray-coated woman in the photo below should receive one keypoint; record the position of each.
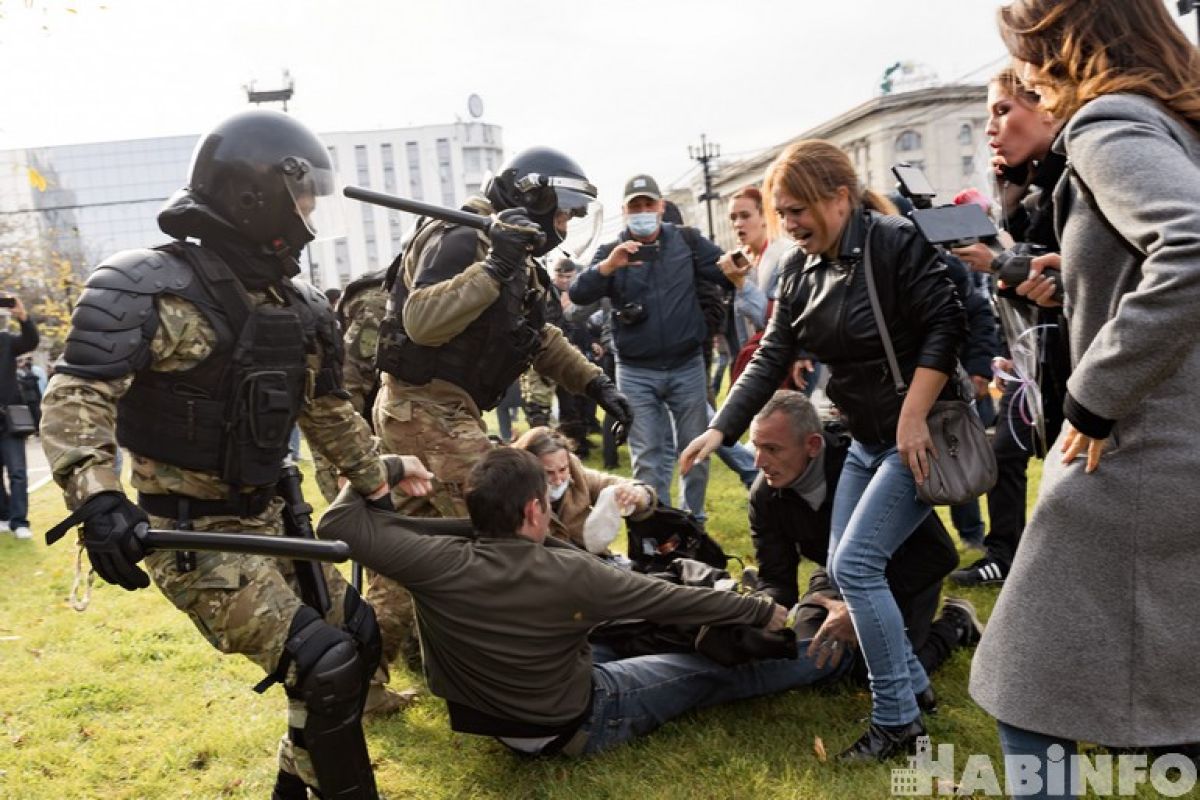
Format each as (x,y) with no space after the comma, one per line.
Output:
(1021,137)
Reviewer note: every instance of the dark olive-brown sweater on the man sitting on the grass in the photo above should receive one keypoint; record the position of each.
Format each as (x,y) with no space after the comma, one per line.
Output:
(505,622)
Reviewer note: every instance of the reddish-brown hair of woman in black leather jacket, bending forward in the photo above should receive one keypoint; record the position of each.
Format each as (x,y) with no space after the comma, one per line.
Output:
(812,171)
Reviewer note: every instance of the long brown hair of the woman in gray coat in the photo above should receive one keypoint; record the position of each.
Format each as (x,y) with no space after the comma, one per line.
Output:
(1088,49)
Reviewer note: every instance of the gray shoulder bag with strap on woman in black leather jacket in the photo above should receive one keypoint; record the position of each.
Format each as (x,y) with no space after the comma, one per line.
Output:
(964,466)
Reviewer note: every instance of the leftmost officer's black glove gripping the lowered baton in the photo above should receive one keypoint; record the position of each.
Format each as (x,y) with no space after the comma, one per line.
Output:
(109,534)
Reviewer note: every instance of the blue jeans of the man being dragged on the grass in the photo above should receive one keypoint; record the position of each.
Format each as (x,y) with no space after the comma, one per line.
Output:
(633,697)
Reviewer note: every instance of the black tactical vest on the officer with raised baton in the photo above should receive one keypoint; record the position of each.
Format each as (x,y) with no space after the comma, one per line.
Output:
(488,356)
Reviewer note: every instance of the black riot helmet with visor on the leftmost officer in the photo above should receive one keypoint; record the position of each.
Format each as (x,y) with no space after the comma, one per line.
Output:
(263,175)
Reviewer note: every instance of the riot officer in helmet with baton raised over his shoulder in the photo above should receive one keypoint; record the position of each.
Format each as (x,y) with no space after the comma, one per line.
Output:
(466,318)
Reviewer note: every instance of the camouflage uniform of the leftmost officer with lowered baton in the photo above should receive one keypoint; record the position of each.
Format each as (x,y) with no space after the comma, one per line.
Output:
(242,604)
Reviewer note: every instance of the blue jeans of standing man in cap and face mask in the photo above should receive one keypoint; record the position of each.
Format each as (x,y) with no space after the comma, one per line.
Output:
(658,398)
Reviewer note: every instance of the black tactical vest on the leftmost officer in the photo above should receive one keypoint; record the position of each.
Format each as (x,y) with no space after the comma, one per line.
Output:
(233,413)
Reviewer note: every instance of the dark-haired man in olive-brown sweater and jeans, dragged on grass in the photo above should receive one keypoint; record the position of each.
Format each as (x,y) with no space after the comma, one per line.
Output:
(505,617)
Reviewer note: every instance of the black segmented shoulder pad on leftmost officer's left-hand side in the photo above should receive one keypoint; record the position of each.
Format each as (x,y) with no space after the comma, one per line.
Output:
(116,317)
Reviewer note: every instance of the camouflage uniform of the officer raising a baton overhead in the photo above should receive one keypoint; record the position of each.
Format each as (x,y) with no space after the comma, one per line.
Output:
(439,422)
